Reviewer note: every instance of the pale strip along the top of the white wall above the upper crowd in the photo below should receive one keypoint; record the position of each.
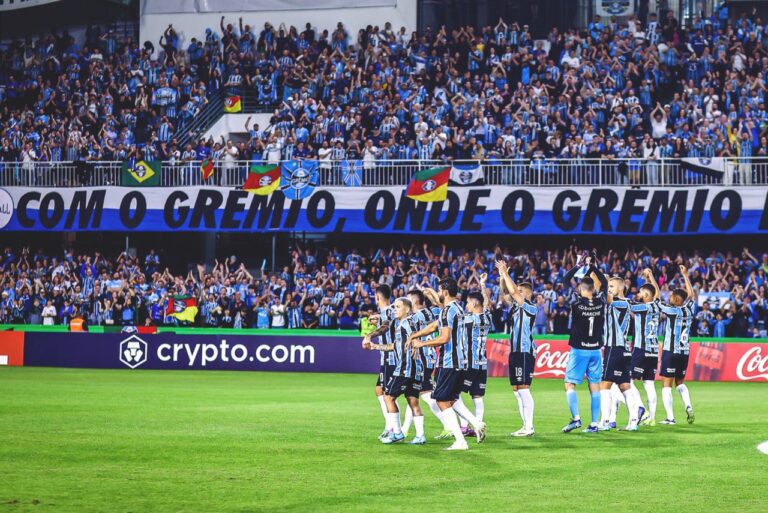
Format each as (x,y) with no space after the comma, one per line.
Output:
(208,6)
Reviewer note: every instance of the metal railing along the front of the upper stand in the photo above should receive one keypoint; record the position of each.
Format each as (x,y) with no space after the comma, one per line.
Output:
(529,173)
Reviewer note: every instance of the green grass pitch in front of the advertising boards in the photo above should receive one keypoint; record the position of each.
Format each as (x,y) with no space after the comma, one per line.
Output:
(122,441)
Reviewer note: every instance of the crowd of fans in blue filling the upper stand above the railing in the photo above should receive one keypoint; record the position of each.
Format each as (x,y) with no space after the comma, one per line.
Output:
(622,89)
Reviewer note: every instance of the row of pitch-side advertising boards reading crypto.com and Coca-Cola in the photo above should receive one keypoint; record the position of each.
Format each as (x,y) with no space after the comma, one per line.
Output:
(324,351)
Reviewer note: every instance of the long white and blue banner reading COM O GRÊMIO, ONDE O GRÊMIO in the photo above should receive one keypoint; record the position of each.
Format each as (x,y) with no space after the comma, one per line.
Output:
(467,210)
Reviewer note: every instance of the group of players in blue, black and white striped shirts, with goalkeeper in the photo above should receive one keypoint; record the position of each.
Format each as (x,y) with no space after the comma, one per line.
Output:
(428,332)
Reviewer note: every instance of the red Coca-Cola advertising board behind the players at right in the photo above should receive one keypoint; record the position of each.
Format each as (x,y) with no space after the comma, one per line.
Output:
(709,361)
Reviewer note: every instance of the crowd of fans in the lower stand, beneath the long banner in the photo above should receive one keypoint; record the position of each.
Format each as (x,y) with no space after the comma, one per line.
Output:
(334,289)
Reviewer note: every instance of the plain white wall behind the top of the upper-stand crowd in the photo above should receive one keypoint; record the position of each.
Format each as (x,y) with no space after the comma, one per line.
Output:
(189,25)
